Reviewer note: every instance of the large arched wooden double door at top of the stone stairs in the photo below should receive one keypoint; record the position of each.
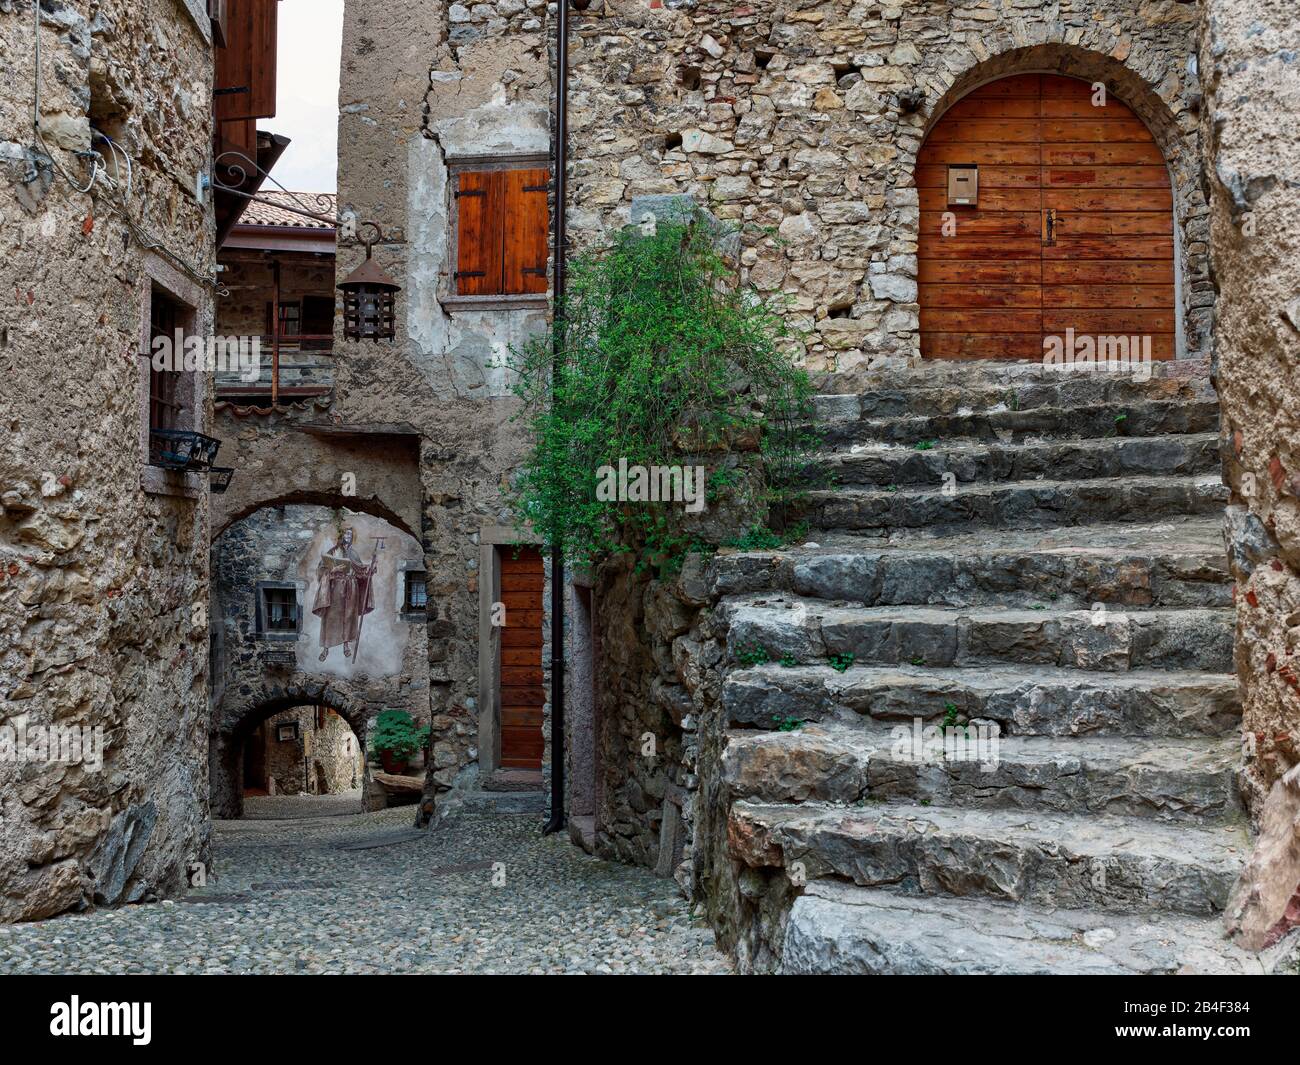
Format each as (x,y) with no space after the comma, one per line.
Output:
(1073,226)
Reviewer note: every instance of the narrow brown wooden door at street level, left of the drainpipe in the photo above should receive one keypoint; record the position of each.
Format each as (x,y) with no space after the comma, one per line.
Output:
(522,689)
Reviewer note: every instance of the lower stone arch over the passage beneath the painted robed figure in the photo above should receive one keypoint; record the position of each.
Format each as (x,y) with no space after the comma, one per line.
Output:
(241,717)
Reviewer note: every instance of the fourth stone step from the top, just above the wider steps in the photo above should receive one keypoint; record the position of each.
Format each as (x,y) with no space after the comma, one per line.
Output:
(1017,505)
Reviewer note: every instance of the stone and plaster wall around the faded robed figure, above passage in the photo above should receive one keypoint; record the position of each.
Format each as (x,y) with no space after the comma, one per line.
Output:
(262,674)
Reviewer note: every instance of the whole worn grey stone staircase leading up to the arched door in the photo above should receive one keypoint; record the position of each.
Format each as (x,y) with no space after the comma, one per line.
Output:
(1026,557)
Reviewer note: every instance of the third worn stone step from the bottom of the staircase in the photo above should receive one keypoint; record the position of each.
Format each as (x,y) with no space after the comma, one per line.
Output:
(1164,780)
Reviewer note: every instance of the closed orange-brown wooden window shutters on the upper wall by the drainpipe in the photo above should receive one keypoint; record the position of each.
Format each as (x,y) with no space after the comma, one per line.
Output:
(502,232)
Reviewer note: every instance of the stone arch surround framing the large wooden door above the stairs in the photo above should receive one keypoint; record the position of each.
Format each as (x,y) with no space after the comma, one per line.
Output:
(1165,103)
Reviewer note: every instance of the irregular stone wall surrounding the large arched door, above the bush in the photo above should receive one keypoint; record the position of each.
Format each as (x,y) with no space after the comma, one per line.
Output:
(800,124)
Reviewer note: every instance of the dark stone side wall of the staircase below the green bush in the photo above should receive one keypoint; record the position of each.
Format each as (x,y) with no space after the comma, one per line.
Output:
(662,664)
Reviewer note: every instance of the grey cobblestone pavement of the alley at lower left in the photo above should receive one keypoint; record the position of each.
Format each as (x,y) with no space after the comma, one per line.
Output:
(366,894)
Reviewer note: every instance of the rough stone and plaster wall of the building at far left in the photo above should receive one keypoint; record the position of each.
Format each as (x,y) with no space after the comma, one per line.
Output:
(103,583)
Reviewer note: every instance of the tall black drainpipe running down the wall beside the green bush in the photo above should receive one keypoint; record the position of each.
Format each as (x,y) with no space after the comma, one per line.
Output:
(561,157)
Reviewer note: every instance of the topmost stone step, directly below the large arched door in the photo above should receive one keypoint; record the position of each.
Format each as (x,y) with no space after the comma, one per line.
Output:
(982,388)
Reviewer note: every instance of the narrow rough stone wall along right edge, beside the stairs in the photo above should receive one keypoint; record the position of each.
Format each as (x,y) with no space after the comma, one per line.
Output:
(1251,58)
